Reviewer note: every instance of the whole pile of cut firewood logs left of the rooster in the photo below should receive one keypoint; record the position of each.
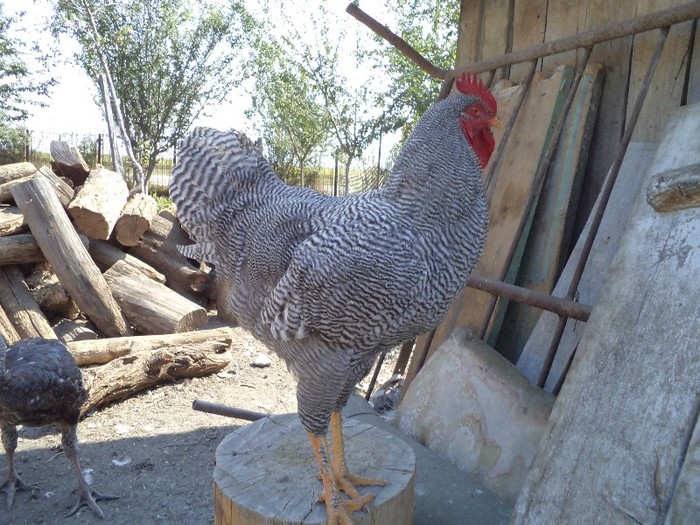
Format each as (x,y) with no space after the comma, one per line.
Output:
(83,261)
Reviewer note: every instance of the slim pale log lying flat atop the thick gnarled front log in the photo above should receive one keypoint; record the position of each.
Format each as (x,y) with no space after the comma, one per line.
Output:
(101,351)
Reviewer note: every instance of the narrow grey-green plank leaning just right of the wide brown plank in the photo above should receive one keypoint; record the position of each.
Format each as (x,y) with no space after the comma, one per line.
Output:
(545,250)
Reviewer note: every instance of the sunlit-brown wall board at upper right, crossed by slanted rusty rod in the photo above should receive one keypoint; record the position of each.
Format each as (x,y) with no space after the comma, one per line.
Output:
(667,86)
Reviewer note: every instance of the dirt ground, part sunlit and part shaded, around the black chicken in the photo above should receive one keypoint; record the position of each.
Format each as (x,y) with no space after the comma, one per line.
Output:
(152,450)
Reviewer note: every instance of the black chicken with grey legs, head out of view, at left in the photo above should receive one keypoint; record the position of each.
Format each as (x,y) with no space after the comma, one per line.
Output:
(41,384)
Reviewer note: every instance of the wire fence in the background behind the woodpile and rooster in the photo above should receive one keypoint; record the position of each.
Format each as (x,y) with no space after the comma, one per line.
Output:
(325,176)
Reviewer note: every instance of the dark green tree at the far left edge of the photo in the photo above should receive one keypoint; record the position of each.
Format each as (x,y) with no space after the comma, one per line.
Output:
(18,87)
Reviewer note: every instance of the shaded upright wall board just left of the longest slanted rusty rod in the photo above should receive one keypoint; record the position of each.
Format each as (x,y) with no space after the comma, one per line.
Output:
(615,57)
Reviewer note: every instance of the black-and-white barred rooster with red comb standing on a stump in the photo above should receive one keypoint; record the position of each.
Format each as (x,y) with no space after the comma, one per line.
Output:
(329,283)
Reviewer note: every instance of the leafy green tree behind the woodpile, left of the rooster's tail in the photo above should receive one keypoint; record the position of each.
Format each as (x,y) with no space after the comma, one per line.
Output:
(169,60)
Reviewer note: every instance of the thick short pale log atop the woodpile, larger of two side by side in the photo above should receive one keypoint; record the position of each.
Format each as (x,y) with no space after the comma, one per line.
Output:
(98,204)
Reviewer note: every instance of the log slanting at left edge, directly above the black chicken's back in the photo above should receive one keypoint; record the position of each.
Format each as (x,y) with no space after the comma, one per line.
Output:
(20,306)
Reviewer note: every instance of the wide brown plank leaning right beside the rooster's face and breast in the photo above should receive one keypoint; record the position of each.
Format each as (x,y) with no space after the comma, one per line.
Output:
(507,198)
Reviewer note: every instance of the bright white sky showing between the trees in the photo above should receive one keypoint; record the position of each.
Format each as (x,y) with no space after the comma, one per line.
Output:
(72,109)
